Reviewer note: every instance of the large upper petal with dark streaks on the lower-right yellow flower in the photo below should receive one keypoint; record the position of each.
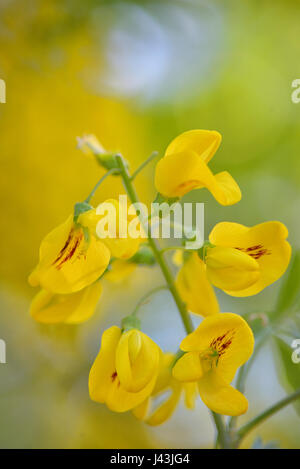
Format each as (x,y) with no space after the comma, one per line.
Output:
(228,334)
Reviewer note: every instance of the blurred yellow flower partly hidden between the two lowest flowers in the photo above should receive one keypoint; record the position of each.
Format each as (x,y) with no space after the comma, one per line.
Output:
(166,384)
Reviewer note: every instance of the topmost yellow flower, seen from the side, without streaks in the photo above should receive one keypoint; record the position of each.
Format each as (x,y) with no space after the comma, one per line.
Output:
(184,167)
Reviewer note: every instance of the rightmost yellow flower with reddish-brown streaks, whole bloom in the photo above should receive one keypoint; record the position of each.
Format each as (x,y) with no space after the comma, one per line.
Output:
(256,256)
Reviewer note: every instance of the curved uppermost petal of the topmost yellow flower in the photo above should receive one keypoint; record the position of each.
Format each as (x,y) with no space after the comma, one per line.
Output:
(203,142)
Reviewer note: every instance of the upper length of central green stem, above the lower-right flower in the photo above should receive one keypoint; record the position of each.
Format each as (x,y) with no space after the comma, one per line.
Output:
(127,181)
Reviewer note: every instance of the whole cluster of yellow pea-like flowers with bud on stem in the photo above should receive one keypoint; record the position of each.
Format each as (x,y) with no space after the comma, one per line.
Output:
(131,372)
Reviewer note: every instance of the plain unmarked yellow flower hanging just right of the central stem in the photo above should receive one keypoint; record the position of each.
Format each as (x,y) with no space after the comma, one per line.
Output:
(194,288)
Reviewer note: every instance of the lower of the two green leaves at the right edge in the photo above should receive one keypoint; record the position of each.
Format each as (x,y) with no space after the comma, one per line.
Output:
(289,372)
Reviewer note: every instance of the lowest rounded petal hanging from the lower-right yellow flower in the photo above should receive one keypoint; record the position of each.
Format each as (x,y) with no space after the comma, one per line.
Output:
(220,397)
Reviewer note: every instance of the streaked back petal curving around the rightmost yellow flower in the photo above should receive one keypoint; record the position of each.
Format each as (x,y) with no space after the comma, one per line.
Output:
(266,243)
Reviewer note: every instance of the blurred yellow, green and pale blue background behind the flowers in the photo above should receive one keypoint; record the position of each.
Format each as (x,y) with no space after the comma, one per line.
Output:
(136,74)
